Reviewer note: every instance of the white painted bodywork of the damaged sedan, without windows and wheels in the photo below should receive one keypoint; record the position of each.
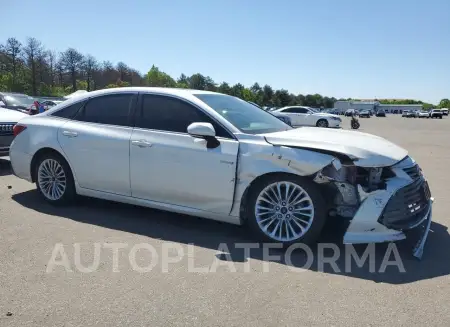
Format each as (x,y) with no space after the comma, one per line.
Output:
(177,172)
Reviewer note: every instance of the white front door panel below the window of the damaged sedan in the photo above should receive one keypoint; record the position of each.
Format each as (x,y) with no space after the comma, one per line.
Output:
(176,168)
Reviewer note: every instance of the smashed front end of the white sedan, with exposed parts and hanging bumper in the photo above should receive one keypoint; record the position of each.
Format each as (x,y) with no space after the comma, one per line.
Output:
(383,203)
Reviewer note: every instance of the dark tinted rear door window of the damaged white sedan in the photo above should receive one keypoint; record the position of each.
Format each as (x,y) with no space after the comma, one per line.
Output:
(110,109)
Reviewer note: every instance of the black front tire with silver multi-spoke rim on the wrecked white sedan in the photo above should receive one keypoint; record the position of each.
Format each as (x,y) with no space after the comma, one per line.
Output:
(315,222)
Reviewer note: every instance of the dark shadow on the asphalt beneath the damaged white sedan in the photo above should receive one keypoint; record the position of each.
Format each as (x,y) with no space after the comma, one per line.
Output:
(210,234)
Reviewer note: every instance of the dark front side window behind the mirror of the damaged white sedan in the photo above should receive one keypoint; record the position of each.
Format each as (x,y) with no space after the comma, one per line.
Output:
(173,115)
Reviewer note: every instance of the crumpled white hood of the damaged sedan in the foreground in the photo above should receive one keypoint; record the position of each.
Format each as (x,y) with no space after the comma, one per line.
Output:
(371,150)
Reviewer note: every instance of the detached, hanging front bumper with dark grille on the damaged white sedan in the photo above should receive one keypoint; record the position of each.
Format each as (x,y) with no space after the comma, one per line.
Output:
(390,214)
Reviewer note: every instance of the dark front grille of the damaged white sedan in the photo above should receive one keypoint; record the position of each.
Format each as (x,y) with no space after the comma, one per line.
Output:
(407,206)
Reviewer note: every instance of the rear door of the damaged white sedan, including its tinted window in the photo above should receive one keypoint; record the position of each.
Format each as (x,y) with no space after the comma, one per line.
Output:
(97,143)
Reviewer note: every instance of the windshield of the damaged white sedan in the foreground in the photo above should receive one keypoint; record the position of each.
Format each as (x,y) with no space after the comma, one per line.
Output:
(243,115)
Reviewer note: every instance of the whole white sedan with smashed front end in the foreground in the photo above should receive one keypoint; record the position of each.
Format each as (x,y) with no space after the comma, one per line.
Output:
(219,157)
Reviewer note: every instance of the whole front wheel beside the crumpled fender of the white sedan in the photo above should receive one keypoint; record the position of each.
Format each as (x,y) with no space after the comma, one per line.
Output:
(286,209)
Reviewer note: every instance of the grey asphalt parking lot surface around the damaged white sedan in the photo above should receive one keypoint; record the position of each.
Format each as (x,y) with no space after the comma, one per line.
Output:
(272,293)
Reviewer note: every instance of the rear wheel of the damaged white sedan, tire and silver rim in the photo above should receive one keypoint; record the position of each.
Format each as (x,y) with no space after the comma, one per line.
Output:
(56,165)
